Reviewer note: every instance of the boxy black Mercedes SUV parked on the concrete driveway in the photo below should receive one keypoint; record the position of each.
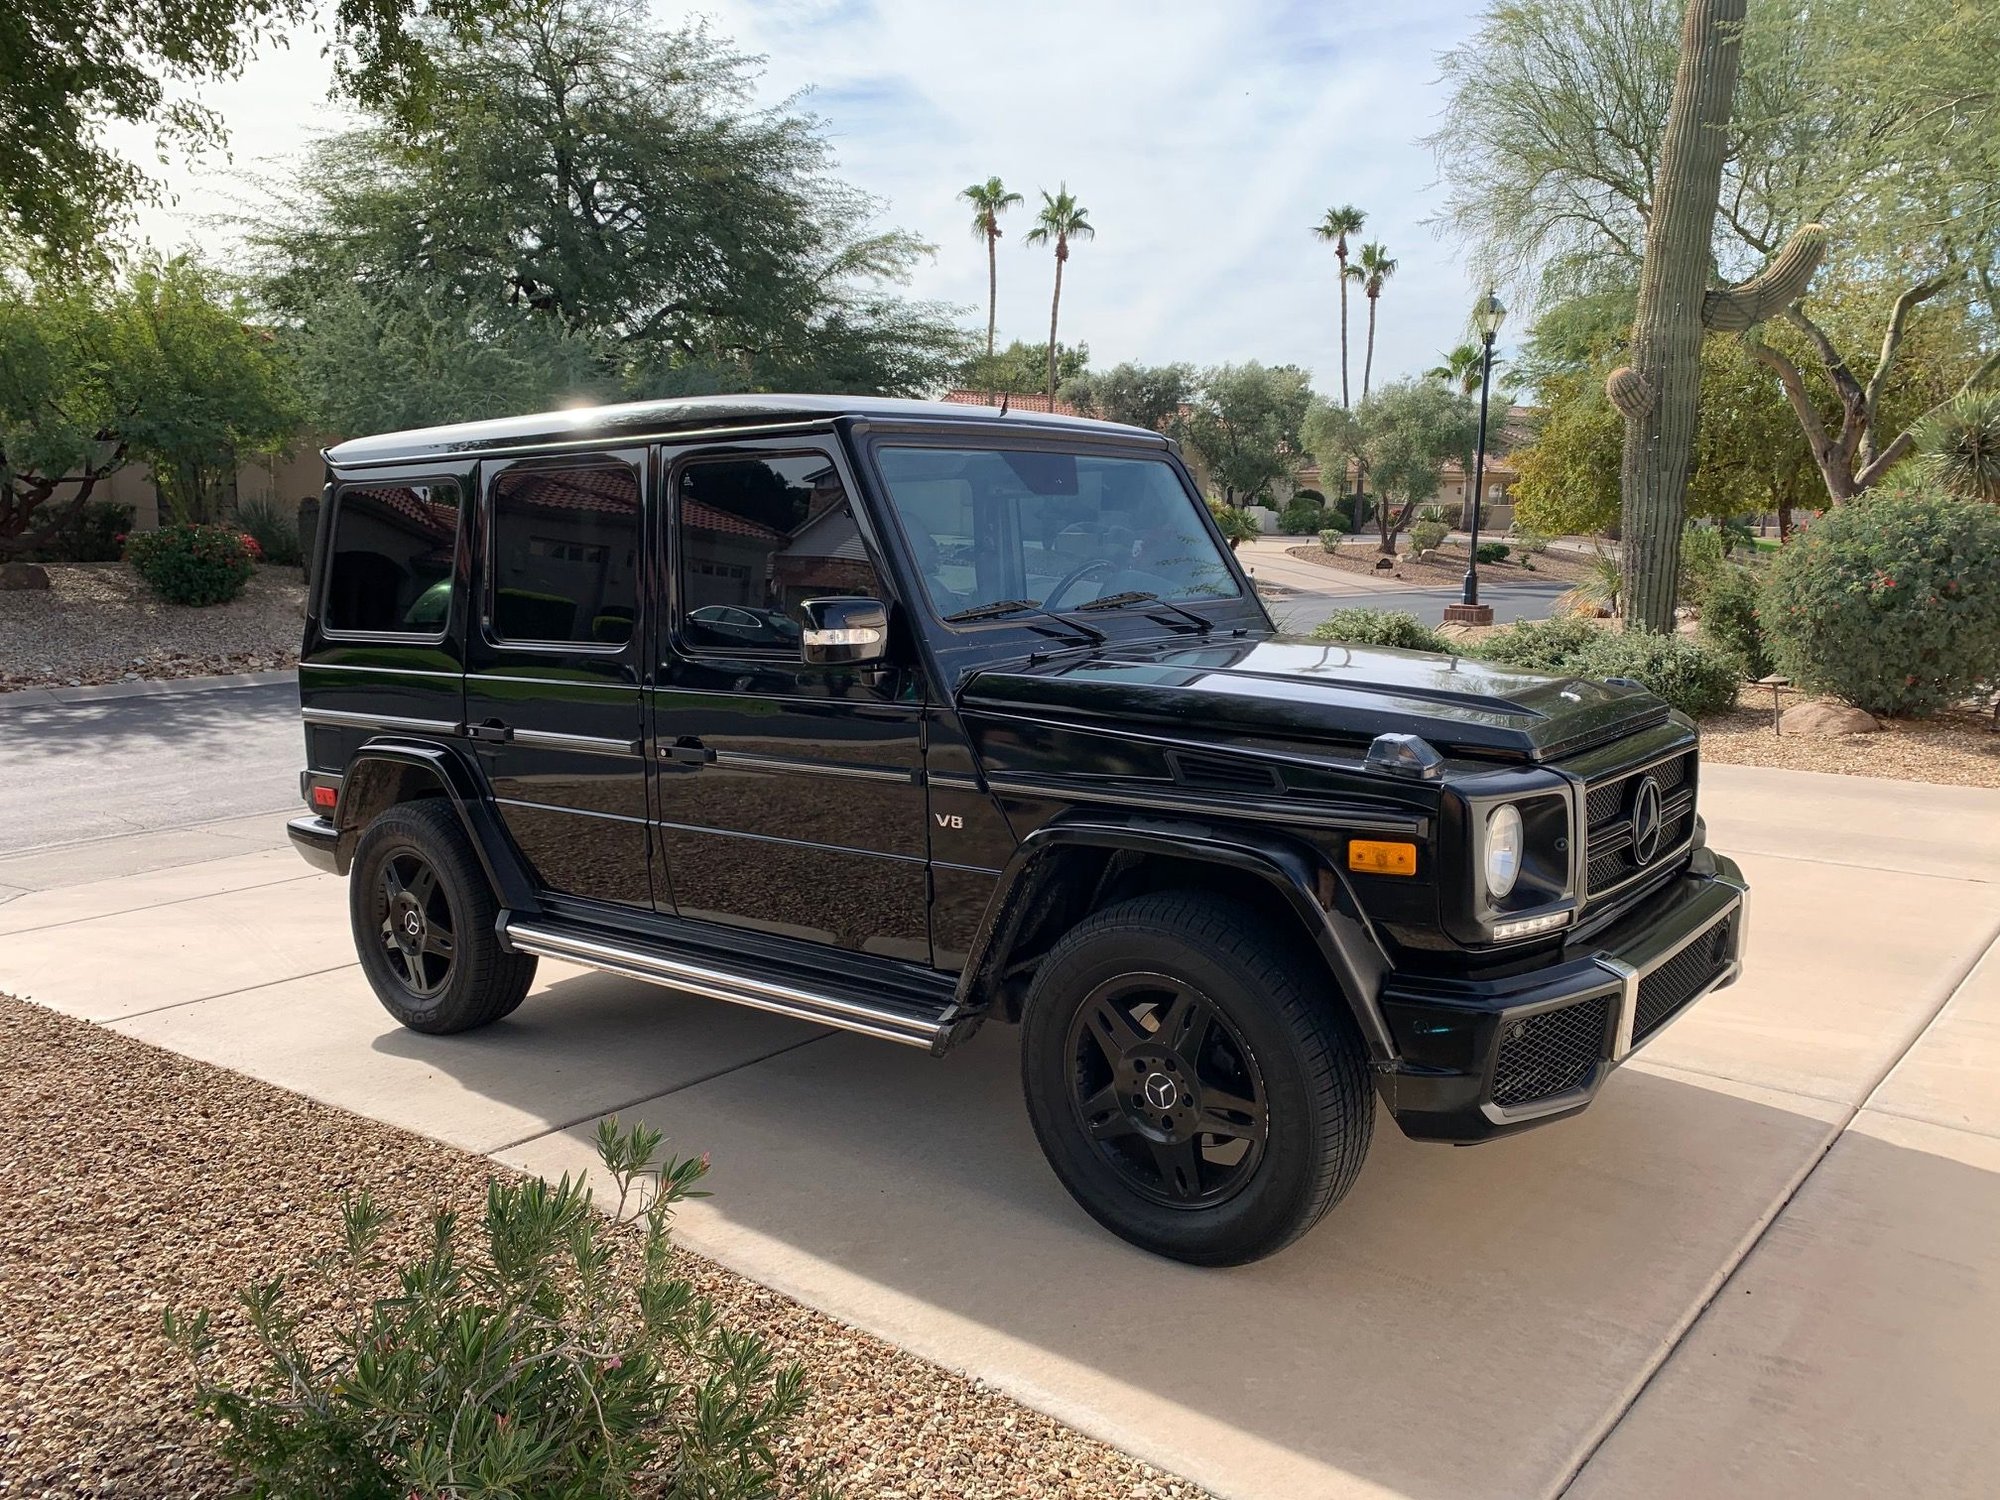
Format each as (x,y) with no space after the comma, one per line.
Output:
(903,717)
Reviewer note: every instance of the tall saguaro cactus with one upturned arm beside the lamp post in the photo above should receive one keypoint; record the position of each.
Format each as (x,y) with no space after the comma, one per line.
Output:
(1661,387)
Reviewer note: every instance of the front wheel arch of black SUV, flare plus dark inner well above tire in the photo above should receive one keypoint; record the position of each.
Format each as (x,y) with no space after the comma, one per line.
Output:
(1065,871)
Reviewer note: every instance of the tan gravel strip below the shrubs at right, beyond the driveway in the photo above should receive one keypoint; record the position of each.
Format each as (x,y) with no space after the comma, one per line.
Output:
(1953,749)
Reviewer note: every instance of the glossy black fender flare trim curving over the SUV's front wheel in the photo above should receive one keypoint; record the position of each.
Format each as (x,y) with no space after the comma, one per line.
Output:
(1311,885)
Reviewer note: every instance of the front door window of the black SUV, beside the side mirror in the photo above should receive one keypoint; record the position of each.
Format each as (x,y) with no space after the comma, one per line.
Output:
(757,539)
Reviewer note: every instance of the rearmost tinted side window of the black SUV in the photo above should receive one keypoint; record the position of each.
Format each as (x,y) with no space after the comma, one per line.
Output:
(391,559)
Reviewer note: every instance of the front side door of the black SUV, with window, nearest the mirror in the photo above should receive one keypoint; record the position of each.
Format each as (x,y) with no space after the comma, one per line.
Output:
(789,797)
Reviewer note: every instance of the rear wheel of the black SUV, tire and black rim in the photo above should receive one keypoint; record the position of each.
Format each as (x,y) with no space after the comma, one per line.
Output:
(425,919)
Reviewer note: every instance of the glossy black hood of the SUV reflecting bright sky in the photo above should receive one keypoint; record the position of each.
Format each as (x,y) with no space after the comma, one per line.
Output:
(1329,695)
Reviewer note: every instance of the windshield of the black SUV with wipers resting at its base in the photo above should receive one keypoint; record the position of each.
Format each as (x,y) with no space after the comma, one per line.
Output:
(1049,529)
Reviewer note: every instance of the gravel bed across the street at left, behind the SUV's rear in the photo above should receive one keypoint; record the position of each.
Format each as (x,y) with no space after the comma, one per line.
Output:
(99,623)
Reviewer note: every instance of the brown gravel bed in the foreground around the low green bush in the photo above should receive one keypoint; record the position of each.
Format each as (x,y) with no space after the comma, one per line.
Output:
(133,1181)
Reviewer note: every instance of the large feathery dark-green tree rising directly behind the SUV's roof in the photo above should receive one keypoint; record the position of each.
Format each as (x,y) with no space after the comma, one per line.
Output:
(589,169)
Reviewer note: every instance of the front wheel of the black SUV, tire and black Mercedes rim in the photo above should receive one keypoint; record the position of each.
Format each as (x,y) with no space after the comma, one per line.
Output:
(1277,1067)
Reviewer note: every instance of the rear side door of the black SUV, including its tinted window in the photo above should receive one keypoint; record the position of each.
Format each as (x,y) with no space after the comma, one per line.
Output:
(553,673)
